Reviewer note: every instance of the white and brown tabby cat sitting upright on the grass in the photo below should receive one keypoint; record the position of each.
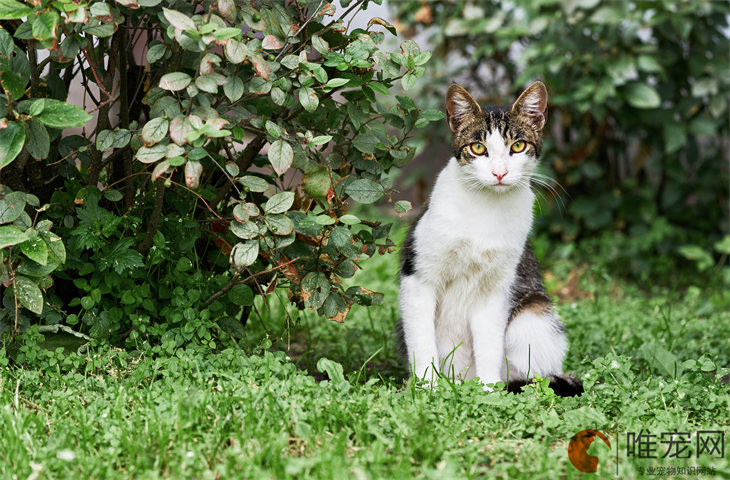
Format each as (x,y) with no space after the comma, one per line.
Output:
(472,301)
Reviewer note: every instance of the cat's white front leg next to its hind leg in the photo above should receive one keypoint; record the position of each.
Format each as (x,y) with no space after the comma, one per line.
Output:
(487,323)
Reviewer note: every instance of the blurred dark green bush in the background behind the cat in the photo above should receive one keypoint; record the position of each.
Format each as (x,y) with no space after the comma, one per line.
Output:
(639,93)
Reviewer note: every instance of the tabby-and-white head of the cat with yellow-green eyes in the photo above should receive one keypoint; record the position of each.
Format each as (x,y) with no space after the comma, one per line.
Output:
(497,148)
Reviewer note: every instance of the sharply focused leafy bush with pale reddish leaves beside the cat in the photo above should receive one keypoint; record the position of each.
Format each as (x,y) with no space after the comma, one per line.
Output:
(222,168)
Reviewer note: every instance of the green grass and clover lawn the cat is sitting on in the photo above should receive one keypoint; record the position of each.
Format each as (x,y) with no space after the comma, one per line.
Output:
(650,358)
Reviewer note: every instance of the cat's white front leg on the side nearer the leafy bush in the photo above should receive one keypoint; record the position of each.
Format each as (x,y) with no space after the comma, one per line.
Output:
(418,324)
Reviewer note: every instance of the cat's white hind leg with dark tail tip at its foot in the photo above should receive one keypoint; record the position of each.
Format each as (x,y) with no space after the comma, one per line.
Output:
(535,343)
